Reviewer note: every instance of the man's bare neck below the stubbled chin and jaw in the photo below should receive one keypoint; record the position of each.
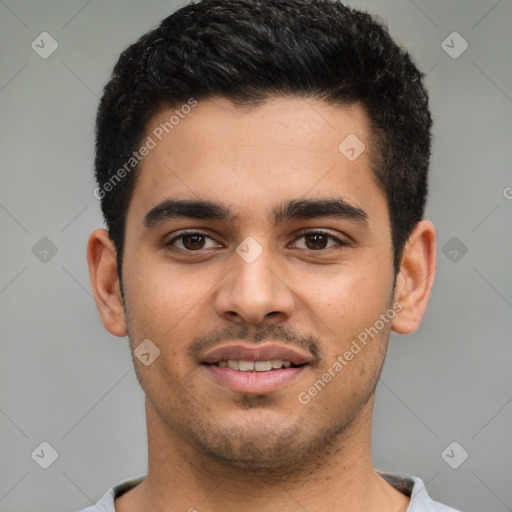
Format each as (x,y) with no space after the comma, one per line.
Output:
(338,477)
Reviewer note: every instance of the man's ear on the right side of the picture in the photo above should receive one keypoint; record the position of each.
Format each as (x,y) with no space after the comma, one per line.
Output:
(415,278)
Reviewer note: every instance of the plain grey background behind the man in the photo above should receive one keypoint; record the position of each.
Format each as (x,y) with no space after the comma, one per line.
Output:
(66,381)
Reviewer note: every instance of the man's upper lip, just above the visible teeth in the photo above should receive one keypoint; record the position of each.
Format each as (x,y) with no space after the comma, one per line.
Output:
(251,352)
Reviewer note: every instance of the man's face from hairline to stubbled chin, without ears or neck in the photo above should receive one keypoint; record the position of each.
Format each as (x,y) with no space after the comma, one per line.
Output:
(280,258)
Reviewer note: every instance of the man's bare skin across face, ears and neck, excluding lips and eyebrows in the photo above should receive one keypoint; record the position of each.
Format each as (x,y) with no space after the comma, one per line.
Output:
(215,449)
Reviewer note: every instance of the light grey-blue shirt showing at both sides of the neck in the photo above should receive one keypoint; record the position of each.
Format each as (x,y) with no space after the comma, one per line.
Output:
(409,485)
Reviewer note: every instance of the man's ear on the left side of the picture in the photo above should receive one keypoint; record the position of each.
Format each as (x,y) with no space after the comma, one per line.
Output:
(101,258)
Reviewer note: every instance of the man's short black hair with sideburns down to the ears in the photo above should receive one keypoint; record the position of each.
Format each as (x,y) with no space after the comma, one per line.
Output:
(249,50)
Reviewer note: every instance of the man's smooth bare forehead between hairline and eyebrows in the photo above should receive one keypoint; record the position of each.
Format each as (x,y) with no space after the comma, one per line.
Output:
(253,158)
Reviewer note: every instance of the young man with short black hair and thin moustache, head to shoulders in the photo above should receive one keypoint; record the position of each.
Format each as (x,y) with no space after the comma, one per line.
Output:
(262,169)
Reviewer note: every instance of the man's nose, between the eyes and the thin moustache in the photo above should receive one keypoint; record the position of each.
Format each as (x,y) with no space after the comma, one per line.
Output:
(252,292)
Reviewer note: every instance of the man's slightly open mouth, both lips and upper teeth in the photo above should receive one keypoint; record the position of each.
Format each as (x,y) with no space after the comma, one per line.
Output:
(245,368)
